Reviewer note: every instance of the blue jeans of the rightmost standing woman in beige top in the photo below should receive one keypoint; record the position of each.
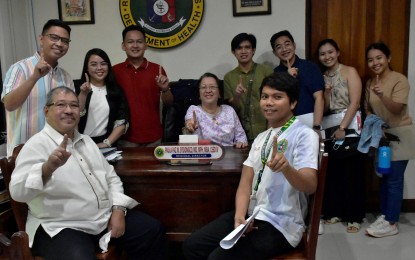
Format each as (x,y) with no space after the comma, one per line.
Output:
(391,191)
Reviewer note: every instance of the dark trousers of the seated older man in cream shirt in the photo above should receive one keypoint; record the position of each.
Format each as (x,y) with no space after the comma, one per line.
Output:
(144,238)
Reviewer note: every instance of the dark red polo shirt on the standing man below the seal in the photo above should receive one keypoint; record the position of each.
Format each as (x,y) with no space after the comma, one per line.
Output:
(143,96)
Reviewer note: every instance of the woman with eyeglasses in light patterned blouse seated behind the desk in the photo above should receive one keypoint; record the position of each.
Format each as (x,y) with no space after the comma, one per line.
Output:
(211,120)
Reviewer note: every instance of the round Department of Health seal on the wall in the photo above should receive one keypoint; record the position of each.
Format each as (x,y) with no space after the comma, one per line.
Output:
(167,23)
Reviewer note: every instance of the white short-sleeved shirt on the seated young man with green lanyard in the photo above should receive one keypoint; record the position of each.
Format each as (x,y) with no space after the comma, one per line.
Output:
(280,203)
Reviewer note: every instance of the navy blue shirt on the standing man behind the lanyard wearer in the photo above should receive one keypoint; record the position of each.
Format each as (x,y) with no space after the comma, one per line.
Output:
(310,79)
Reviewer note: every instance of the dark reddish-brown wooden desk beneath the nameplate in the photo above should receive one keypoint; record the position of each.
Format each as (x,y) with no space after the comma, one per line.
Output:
(183,198)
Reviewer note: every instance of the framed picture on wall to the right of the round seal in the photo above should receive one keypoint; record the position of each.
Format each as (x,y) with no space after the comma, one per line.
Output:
(251,7)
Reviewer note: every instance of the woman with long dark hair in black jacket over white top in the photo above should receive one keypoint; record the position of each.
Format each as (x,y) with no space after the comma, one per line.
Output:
(105,112)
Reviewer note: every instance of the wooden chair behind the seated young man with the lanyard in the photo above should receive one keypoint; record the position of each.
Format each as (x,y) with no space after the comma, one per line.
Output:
(306,250)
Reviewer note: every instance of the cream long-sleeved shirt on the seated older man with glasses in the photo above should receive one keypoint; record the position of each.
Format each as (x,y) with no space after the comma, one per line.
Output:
(78,195)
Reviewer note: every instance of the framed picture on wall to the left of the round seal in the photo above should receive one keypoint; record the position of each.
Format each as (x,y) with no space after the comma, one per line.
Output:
(76,11)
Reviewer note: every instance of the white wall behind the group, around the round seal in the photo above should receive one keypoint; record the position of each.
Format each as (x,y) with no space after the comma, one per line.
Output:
(207,50)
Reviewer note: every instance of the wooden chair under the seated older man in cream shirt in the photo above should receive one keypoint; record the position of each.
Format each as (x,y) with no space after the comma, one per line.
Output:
(17,247)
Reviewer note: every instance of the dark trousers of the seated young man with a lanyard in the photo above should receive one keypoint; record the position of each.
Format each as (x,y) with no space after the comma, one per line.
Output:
(262,243)
